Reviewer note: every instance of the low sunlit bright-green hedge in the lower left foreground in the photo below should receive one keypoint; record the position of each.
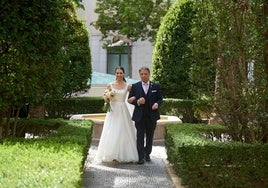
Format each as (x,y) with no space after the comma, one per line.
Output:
(53,161)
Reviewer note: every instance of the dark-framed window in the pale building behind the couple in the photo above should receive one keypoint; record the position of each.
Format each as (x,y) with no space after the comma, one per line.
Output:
(117,56)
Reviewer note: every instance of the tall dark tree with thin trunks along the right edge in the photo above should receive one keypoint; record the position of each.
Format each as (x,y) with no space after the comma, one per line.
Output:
(234,46)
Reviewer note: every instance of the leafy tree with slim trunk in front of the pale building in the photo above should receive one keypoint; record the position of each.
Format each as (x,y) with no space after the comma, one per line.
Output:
(133,19)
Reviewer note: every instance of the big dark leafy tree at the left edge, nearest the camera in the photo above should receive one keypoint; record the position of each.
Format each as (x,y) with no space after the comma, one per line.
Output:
(32,56)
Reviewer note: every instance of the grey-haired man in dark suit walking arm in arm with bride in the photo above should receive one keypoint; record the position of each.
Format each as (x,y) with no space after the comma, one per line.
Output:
(146,96)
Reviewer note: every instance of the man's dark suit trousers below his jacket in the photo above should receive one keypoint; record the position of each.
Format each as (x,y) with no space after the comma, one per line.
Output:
(145,127)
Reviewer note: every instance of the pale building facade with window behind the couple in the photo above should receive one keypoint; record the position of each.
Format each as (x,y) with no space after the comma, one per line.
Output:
(104,60)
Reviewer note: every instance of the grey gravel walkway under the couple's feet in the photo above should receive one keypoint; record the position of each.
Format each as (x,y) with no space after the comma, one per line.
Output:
(153,174)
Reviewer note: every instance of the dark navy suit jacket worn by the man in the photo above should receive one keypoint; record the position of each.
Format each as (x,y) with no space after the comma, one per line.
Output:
(155,96)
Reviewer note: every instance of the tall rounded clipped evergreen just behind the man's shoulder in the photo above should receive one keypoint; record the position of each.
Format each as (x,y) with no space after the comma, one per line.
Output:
(172,57)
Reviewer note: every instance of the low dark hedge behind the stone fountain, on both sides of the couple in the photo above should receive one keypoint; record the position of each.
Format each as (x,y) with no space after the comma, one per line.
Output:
(64,108)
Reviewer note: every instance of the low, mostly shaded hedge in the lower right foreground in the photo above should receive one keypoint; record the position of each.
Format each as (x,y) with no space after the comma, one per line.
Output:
(202,162)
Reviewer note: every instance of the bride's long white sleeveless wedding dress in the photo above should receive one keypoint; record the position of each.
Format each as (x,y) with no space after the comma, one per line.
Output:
(118,138)
